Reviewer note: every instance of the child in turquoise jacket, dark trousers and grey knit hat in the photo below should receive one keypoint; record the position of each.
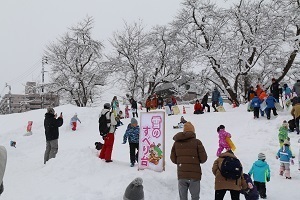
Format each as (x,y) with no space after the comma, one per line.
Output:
(261,174)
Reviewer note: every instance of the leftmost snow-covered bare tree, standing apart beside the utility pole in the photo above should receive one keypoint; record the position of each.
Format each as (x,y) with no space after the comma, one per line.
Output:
(76,64)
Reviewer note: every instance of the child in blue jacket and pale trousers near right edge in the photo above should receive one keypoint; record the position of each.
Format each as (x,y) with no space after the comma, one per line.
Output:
(285,155)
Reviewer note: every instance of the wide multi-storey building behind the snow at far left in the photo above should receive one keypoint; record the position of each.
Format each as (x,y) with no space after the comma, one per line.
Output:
(31,100)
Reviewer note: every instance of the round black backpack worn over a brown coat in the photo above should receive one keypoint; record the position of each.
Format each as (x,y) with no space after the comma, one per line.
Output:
(231,168)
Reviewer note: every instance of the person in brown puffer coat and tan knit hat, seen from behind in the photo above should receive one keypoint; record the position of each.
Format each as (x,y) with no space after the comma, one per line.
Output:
(188,153)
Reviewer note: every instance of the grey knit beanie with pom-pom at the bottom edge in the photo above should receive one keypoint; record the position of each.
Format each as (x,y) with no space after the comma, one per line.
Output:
(134,190)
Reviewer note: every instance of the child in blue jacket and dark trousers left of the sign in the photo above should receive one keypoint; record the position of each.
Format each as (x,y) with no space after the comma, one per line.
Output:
(132,134)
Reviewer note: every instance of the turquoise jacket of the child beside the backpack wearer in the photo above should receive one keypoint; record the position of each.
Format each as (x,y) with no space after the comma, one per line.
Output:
(261,171)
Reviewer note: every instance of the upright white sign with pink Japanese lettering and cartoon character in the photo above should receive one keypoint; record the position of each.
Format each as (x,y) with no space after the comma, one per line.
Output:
(152,141)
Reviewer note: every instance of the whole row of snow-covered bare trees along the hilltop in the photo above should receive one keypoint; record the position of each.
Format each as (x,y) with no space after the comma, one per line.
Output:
(231,48)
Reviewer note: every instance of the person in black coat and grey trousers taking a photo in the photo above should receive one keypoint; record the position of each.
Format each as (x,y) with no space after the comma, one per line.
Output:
(51,124)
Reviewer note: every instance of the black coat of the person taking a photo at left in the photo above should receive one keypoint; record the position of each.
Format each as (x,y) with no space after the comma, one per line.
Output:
(51,126)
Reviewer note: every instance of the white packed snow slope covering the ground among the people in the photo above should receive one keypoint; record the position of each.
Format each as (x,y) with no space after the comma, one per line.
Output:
(78,174)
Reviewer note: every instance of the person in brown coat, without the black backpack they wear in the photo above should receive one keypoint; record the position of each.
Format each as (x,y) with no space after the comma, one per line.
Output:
(223,184)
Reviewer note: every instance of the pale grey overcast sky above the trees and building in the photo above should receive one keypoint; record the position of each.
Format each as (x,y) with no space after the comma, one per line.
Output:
(27,26)
